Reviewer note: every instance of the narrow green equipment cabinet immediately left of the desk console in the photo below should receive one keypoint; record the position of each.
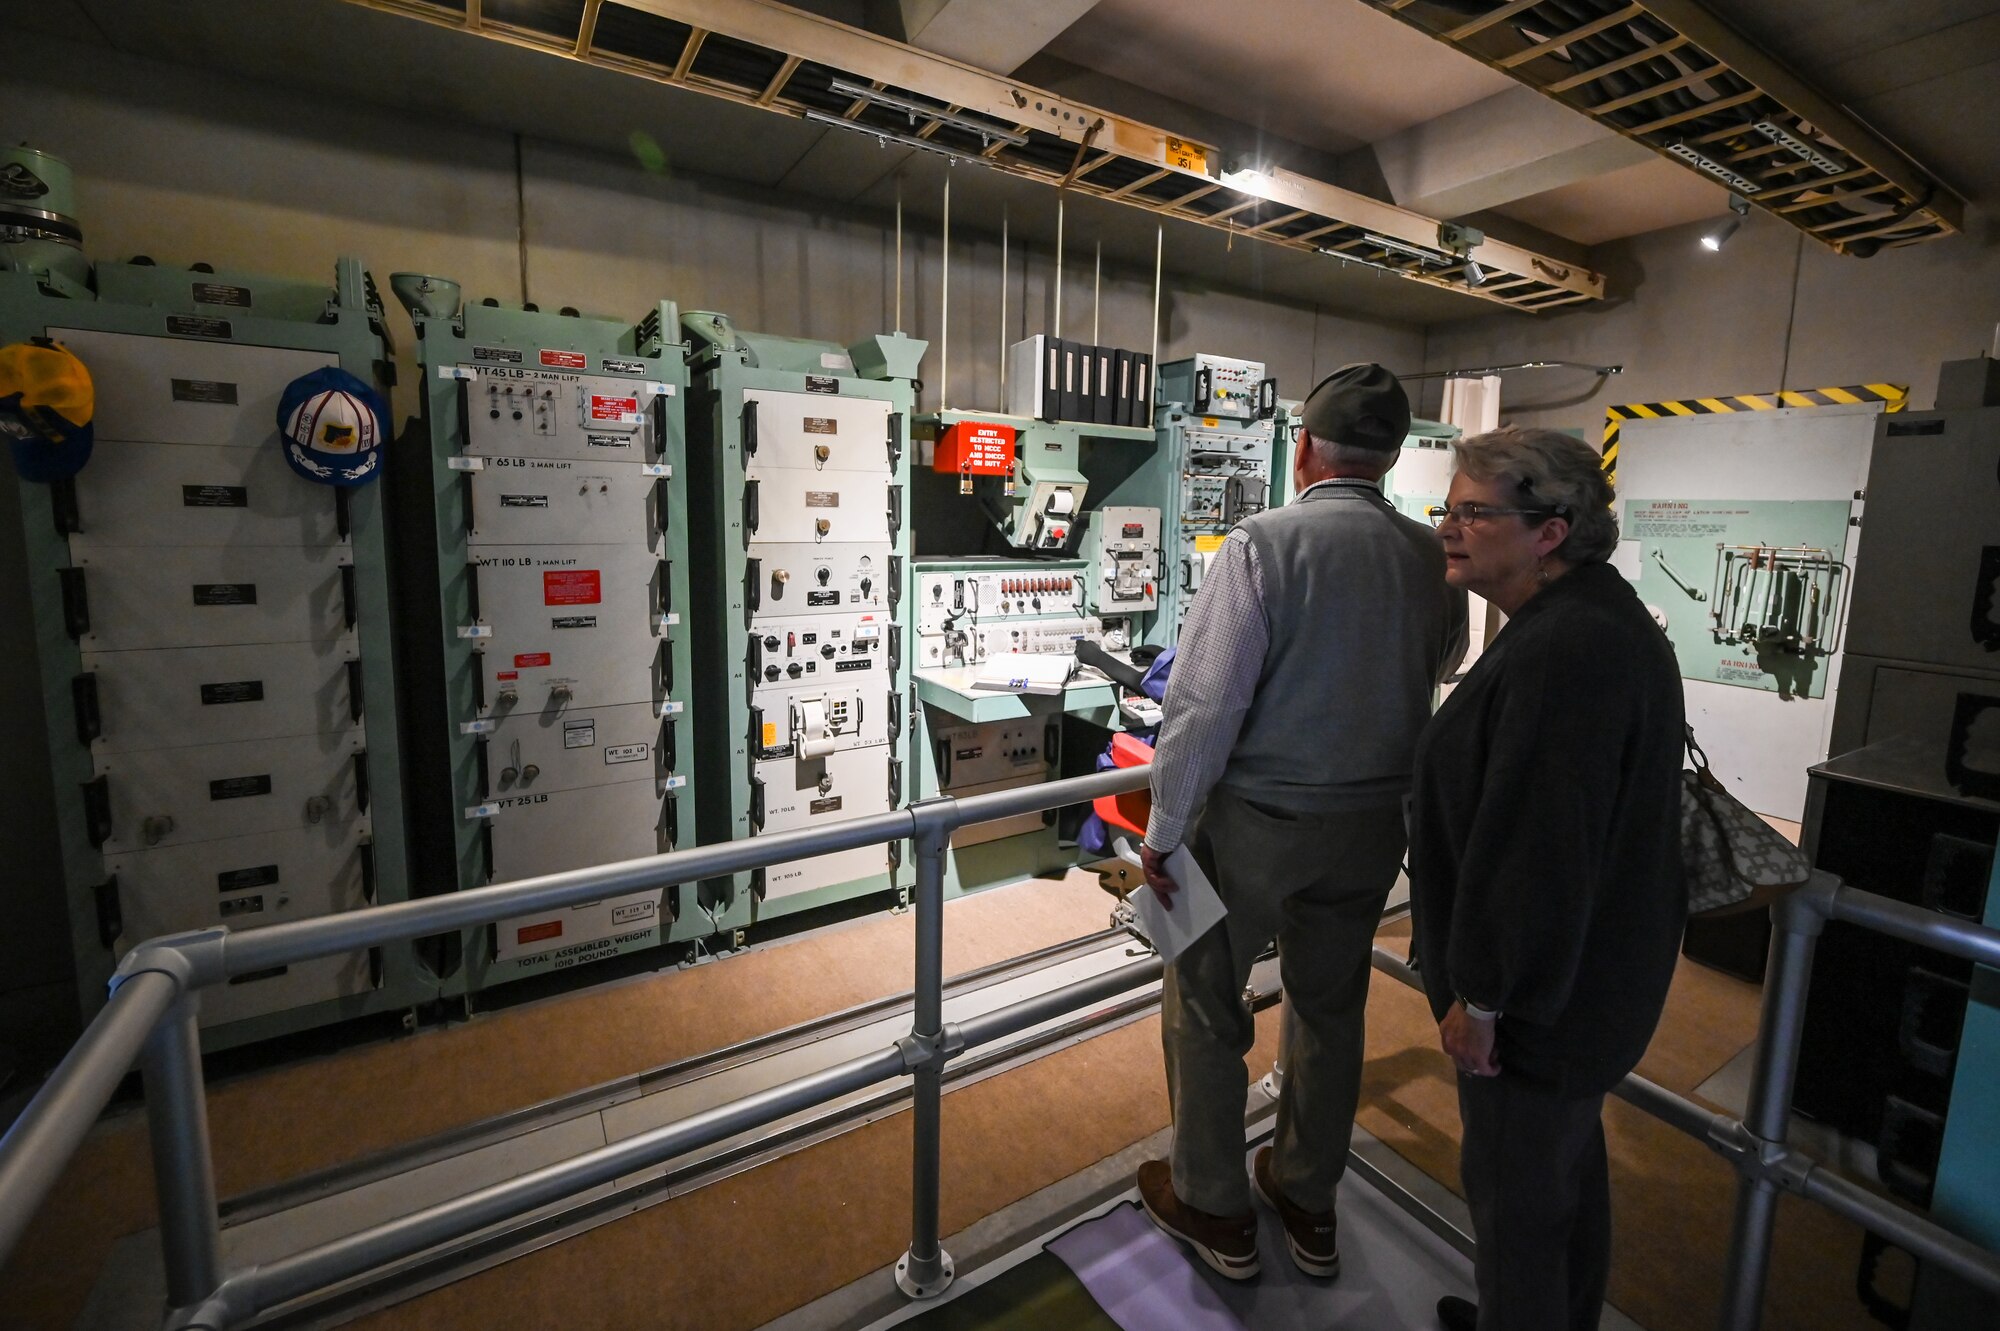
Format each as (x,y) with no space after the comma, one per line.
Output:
(799,471)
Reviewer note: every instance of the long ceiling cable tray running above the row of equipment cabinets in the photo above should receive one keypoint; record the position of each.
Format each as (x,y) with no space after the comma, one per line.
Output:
(785,61)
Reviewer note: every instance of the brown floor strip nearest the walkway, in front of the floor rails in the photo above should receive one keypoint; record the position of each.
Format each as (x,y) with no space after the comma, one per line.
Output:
(747,1250)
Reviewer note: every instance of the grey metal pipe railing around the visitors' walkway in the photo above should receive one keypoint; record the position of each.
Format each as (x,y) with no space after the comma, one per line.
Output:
(151,1020)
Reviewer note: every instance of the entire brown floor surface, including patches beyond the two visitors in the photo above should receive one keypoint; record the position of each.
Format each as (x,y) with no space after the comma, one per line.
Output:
(841,1210)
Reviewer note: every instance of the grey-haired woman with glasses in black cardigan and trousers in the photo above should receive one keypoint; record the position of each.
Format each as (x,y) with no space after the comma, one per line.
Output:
(1545,868)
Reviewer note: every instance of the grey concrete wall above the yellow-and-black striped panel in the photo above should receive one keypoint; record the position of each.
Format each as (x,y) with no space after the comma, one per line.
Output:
(1771,311)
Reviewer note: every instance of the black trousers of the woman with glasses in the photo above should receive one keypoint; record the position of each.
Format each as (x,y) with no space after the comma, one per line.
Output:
(1539,1188)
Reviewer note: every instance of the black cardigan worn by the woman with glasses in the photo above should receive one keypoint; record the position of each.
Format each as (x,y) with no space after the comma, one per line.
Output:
(1545,834)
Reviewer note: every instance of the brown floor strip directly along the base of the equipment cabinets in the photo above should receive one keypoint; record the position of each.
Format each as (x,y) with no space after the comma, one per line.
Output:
(309,1116)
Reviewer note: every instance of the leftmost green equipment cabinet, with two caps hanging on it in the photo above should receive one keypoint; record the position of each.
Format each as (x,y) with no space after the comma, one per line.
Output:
(215,639)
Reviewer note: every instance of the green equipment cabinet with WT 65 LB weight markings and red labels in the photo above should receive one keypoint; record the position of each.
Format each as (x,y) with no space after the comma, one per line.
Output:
(545,535)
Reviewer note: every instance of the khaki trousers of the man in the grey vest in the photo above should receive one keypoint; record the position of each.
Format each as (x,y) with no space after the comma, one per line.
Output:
(1317,884)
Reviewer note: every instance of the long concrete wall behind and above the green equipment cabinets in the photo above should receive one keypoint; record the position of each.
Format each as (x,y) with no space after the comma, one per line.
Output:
(193,167)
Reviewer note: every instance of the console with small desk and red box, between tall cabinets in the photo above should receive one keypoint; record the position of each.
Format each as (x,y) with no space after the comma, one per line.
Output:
(1079,509)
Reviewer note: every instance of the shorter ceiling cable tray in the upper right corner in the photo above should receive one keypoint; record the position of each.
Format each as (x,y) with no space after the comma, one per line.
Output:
(1673,77)
